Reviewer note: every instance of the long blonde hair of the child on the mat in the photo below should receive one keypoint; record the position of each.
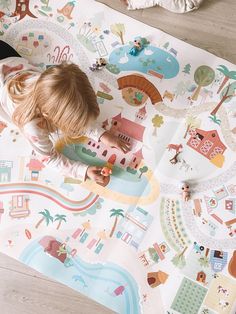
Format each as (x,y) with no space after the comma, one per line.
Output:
(62,95)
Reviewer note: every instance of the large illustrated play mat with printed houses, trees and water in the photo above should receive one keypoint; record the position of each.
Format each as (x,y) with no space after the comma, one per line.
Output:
(132,245)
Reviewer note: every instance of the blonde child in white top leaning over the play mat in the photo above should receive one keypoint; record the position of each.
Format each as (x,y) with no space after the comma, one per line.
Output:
(58,100)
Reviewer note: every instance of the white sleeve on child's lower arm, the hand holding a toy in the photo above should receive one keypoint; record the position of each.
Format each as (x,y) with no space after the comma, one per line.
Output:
(46,152)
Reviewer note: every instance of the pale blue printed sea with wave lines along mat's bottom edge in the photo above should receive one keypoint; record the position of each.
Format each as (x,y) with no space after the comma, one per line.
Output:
(97,281)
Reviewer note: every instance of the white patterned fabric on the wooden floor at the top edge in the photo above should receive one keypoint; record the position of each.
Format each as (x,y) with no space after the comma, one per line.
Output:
(177,6)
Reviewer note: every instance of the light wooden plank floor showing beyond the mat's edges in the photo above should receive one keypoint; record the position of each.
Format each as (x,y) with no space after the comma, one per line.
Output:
(23,290)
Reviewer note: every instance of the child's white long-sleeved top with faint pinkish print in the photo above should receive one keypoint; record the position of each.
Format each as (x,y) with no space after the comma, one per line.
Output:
(40,139)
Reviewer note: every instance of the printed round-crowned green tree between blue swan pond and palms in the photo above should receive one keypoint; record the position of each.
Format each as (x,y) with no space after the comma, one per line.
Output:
(203,76)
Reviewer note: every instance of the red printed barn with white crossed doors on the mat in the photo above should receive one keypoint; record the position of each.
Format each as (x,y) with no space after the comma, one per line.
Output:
(207,143)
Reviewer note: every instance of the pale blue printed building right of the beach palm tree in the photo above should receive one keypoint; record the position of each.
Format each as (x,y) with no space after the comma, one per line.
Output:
(132,228)
